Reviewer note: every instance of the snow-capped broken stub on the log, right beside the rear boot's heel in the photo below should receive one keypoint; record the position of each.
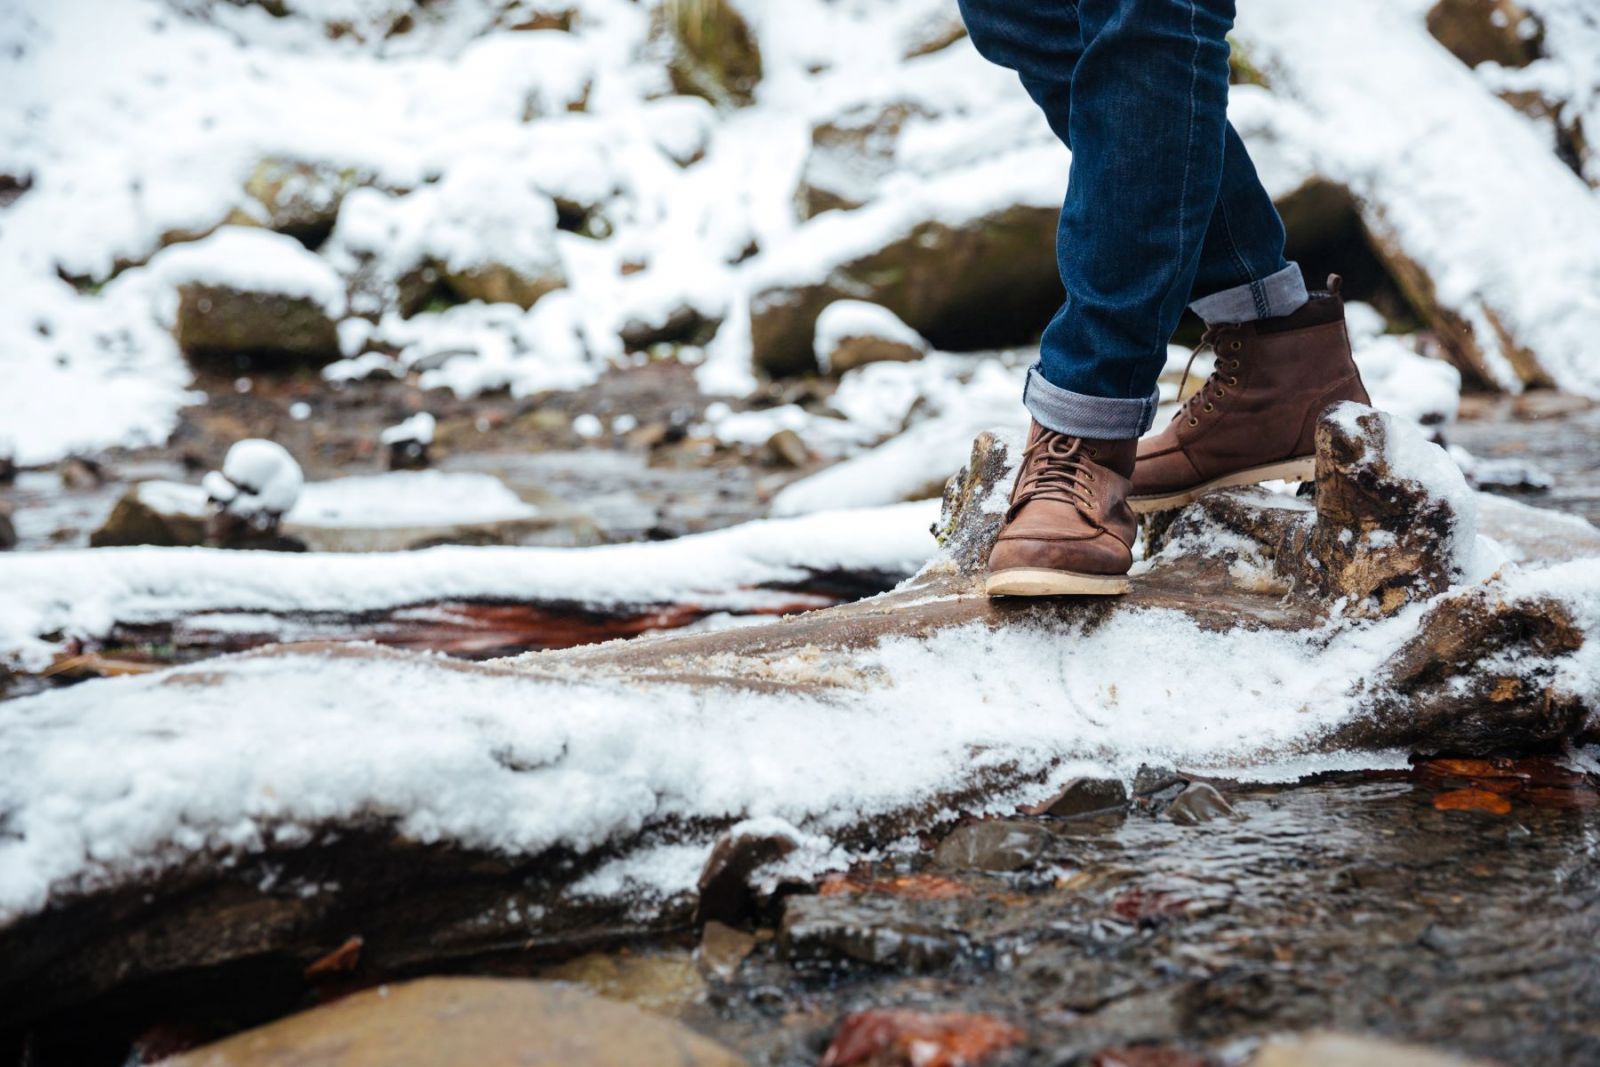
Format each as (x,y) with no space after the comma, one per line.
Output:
(1396,519)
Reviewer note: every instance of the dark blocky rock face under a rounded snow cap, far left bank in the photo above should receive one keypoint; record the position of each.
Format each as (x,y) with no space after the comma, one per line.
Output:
(225,326)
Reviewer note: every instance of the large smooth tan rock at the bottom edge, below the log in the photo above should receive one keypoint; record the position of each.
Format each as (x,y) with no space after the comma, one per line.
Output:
(460,1021)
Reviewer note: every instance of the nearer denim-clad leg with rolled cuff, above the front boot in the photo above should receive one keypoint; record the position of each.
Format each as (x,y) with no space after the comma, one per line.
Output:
(1150,130)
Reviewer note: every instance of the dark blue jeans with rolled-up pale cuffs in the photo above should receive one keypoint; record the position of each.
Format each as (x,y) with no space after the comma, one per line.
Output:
(1164,207)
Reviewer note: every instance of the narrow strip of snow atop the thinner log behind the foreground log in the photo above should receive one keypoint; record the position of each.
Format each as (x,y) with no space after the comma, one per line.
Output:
(84,594)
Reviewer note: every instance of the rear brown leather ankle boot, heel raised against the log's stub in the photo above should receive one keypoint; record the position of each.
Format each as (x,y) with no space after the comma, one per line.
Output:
(1255,420)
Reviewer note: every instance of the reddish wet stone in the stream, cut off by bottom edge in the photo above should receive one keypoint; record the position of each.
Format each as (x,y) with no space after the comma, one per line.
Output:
(918,1039)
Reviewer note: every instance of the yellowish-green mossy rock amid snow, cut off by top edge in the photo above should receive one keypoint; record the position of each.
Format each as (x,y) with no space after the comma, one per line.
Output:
(711,50)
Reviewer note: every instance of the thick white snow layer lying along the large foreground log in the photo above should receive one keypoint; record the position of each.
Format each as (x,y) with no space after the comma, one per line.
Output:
(244,753)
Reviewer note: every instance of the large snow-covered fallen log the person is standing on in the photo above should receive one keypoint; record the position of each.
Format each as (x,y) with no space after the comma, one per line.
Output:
(249,817)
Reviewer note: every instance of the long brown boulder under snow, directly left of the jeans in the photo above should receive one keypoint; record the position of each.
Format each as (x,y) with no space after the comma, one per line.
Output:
(985,282)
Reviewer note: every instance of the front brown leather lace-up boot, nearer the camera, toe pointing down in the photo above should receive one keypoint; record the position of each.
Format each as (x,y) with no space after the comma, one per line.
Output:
(1068,529)
